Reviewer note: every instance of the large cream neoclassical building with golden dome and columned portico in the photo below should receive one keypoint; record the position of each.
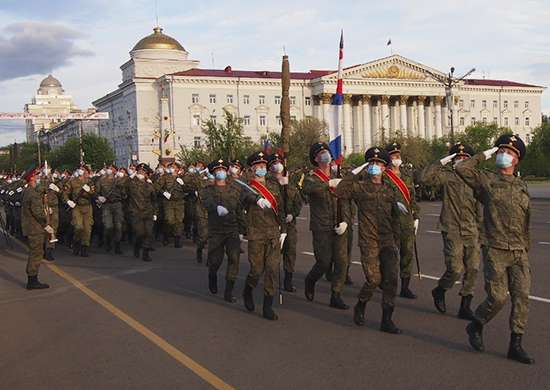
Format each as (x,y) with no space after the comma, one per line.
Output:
(164,98)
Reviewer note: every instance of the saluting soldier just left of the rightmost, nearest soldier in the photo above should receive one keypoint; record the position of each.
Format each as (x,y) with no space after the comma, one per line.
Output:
(459,222)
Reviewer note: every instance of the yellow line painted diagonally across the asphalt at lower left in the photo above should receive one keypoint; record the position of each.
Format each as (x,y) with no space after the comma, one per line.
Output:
(160,342)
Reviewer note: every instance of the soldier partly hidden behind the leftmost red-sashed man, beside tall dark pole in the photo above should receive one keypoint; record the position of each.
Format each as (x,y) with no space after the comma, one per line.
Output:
(292,202)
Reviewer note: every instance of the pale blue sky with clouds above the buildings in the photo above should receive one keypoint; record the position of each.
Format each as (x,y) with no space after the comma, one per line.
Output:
(83,45)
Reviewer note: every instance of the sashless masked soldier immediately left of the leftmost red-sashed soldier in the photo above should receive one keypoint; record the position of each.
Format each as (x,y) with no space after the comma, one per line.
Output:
(226,227)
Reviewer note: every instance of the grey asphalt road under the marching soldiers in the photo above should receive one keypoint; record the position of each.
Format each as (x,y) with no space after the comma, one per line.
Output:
(116,322)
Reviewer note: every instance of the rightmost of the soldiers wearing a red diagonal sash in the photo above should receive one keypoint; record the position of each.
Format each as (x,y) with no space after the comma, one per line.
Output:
(402,182)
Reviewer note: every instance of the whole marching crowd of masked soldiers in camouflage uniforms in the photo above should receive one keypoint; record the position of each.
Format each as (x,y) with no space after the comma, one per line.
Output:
(219,204)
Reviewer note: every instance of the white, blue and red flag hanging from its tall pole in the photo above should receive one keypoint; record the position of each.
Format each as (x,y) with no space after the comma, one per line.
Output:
(334,114)
